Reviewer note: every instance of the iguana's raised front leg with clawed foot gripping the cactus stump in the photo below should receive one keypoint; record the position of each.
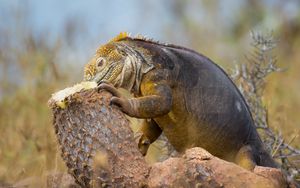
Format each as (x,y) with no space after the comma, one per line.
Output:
(156,100)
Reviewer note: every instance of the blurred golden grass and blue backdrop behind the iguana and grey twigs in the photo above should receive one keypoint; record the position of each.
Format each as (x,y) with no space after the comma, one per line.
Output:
(45,44)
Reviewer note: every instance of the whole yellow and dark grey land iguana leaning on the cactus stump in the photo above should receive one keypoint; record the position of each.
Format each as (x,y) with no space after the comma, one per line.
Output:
(182,93)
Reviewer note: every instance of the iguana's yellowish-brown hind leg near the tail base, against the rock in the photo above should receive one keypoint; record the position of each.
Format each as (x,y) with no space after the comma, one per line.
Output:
(246,158)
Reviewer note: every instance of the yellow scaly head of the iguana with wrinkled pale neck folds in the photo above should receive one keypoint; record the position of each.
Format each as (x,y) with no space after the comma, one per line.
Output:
(117,62)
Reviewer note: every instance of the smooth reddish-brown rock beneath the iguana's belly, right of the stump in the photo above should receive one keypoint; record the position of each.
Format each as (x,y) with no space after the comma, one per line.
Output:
(198,168)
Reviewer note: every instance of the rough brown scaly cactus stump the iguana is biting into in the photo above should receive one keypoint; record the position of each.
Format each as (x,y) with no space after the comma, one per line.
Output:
(96,140)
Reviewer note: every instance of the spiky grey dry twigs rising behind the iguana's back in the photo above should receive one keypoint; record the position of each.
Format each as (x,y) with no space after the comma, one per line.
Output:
(250,79)
